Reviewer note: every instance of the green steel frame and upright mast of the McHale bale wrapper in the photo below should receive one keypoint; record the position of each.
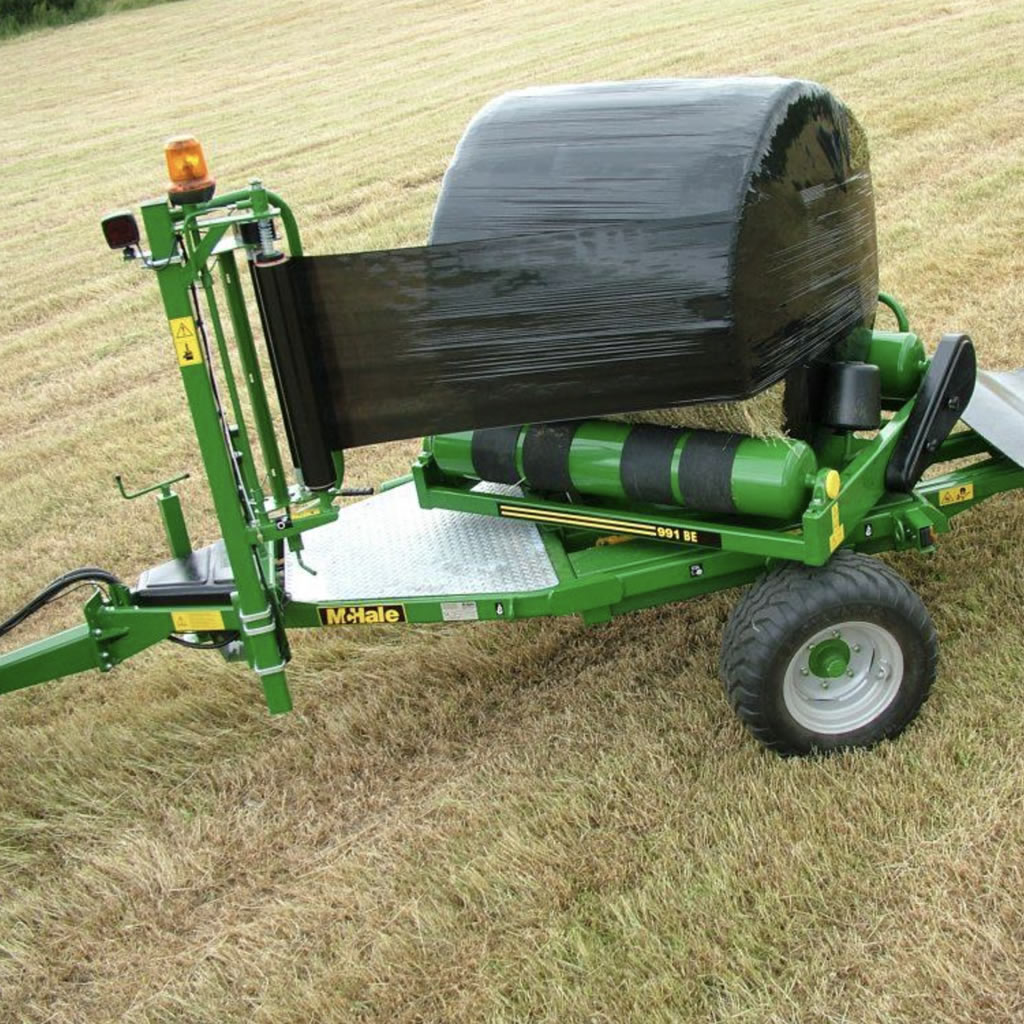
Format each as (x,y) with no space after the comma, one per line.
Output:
(610,558)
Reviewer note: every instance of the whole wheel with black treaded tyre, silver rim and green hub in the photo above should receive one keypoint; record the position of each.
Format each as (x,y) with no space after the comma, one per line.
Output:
(799,691)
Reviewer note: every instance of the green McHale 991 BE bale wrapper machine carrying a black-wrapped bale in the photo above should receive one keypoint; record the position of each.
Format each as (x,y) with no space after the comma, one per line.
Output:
(562,511)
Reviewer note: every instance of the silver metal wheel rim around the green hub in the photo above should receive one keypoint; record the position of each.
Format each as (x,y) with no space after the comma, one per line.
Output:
(867,687)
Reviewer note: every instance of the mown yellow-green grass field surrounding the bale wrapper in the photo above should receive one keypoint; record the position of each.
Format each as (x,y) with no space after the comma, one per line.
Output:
(536,823)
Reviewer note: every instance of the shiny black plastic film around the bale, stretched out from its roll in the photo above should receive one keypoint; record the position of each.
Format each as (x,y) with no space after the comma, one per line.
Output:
(599,249)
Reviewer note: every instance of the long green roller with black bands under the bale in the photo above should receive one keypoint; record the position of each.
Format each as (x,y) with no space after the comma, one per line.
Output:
(699,470)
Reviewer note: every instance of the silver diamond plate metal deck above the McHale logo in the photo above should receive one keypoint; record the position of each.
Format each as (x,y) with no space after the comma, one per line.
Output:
(389,547)
